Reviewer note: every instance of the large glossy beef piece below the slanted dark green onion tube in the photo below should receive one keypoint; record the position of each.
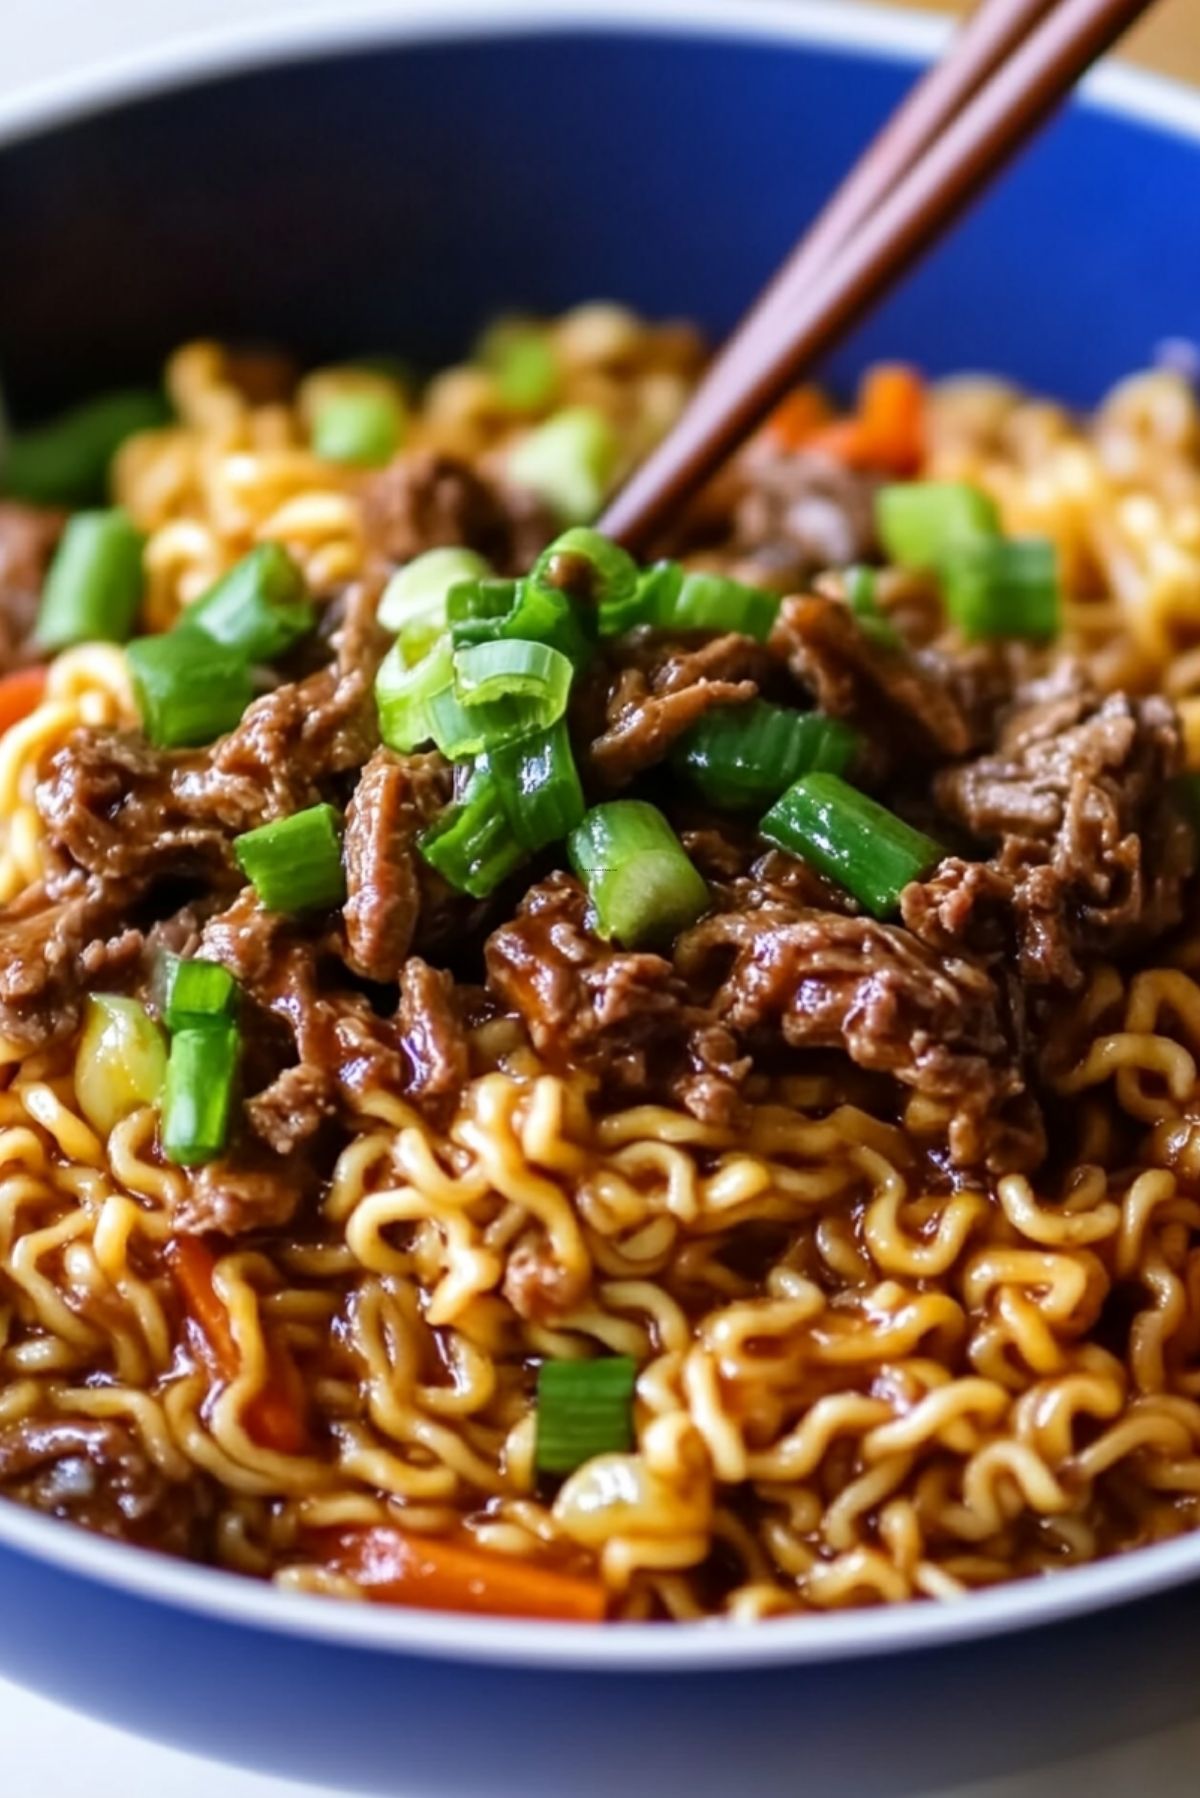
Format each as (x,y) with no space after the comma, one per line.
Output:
(891,1004)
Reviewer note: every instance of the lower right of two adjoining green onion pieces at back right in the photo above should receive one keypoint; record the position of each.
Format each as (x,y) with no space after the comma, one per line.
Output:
(999,587)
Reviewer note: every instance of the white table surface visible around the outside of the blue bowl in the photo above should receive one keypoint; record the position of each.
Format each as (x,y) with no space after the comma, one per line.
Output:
(49,1750)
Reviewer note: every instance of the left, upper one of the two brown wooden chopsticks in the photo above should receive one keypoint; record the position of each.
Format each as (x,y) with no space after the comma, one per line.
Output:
(989,37)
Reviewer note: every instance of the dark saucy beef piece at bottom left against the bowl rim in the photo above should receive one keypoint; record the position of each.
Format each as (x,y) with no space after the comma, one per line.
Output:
(96,1473)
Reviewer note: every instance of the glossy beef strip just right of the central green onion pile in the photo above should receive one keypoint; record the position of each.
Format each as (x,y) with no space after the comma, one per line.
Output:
(659,690)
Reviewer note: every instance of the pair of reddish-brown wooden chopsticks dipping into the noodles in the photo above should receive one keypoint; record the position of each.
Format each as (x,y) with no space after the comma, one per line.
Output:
(1005,75)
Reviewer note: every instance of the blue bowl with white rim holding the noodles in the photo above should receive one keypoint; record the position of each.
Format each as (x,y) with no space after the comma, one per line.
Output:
(348,188)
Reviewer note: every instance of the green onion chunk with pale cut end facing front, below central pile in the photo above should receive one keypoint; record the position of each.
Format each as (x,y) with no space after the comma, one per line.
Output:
(640,880)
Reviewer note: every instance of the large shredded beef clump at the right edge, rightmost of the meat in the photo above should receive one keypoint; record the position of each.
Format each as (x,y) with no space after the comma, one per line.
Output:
(1089,851)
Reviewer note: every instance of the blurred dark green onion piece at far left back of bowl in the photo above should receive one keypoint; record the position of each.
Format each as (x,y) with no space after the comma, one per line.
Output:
(66,461)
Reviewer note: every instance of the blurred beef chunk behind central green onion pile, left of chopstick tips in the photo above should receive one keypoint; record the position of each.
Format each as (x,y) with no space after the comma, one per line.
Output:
(431,501)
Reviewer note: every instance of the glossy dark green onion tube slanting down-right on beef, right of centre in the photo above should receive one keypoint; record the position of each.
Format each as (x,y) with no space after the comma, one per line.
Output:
(852,841)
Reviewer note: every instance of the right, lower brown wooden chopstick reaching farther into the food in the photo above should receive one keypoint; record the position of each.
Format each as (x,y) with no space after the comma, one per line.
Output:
(794,330)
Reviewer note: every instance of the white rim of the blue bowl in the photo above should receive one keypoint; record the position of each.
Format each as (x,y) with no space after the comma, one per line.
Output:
(852,26)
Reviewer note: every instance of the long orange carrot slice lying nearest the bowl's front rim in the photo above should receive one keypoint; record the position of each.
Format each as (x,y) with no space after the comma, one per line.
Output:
(452,1576)
